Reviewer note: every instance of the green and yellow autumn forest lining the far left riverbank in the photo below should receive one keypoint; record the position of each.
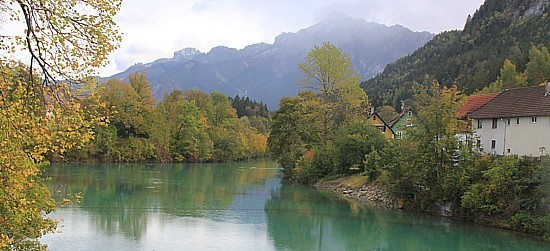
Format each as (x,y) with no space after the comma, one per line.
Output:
(190,126)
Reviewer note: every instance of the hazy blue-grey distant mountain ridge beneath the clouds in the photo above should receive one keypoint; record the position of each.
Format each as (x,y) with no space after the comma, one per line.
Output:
(268,72)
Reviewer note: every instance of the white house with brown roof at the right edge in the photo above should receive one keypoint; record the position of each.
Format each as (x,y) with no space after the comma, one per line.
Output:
(517,121)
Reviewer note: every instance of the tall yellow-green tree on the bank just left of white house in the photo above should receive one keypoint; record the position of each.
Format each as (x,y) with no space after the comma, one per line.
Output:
(425,169)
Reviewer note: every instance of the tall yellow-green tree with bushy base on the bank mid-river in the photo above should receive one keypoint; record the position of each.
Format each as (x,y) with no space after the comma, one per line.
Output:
(306,129)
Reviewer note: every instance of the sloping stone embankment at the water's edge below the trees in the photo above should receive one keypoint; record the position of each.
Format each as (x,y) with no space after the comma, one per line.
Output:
(370,194)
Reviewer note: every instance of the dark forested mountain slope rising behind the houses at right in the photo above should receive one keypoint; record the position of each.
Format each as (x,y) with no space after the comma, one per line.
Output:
(470,58)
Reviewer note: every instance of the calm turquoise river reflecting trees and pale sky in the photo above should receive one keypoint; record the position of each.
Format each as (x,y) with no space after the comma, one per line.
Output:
(239,206)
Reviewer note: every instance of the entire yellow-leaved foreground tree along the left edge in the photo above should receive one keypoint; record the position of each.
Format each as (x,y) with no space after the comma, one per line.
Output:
(66,42)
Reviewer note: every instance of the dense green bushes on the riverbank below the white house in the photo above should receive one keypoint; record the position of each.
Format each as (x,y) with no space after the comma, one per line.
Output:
(508,190)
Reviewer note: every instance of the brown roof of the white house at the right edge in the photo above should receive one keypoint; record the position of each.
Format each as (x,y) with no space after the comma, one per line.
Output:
(520,102)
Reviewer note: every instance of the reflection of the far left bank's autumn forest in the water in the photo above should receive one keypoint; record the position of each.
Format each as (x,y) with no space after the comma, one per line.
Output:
(120,197)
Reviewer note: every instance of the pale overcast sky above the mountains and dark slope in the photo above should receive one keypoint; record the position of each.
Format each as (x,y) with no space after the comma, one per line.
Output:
(155,29)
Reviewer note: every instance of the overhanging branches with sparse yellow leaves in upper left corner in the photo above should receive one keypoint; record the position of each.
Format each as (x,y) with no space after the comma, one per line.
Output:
(66,40)
